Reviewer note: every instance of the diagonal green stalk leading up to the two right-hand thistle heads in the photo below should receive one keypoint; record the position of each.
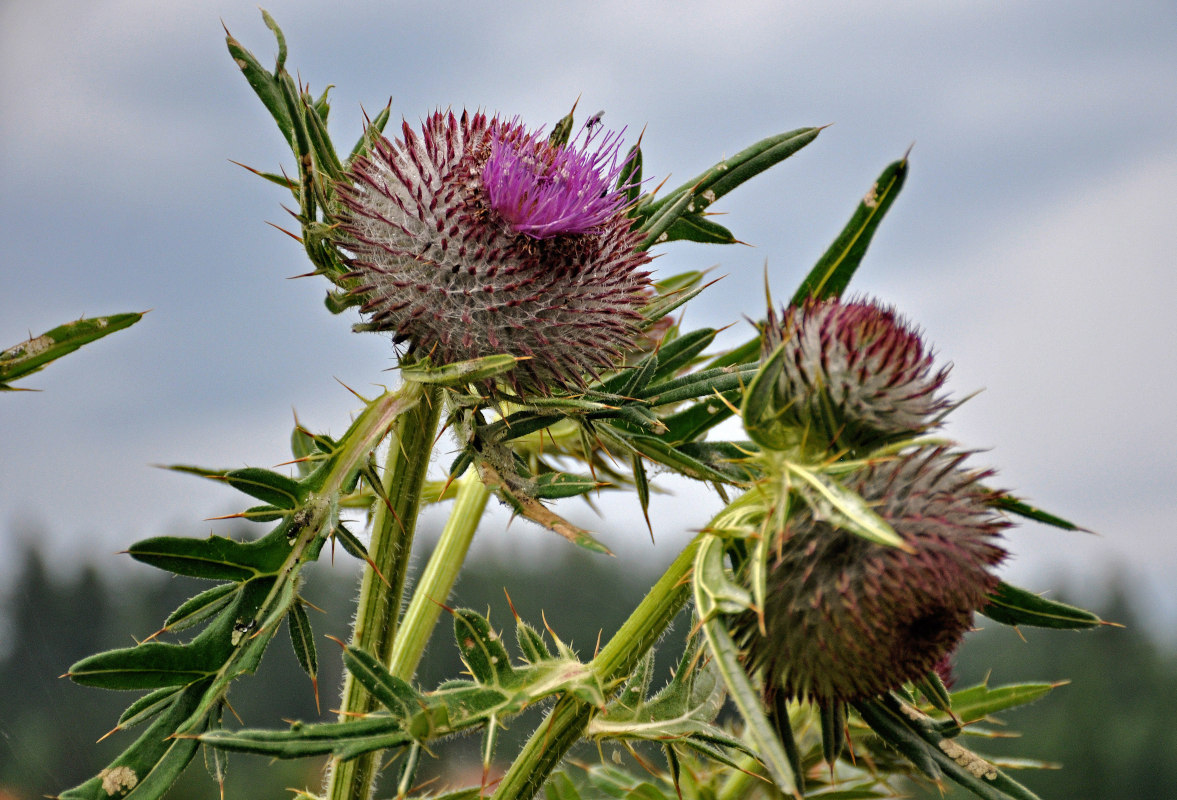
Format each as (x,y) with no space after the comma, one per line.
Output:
(568,721)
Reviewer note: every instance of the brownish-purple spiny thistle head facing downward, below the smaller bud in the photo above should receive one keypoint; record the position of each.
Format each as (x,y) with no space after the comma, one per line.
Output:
(849,619)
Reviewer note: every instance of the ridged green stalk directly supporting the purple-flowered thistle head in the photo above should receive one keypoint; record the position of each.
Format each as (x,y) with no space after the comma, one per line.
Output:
(375,629)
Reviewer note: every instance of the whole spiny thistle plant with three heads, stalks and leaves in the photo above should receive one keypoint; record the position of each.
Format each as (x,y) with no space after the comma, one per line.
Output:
(511,269)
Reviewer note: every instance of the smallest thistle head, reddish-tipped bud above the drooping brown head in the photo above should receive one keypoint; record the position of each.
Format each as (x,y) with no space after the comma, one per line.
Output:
(855,375)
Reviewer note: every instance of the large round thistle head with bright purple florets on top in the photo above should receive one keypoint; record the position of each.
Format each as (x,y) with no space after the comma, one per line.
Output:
(477,237)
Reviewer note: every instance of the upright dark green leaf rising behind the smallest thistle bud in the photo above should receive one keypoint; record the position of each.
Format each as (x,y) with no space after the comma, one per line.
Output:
(834,271)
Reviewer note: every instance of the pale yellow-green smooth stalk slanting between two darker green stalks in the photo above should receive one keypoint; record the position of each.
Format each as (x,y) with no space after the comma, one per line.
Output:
(440,576)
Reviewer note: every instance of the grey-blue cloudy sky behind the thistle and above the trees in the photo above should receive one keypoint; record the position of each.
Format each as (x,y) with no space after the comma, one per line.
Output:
(1034,241)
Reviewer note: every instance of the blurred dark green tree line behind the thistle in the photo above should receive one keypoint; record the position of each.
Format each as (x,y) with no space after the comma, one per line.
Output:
(1109,728)
